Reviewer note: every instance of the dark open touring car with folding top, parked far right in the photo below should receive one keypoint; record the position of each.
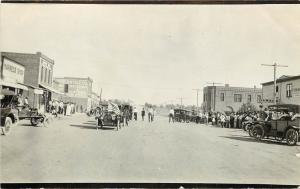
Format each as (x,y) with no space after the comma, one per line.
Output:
(281,126)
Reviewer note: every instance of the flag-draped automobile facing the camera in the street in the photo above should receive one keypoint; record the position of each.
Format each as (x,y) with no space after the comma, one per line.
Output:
(107,116)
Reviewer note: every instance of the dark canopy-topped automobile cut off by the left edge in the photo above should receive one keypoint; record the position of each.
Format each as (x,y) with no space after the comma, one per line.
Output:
(8,112)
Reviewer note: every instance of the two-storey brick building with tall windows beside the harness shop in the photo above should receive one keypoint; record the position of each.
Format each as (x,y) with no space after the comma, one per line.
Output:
(38,77)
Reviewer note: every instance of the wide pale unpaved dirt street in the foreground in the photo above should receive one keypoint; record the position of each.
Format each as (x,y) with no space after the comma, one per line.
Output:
(72,150)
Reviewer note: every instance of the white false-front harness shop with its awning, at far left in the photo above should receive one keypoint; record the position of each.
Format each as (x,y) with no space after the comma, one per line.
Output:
(12,76)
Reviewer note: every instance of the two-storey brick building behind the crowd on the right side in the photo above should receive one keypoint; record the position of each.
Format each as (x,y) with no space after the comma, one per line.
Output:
(226,98)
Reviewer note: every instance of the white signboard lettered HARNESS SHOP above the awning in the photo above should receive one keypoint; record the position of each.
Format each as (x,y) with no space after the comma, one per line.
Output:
(12,71)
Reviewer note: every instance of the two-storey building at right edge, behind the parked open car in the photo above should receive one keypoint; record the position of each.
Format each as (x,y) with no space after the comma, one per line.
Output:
(287,90)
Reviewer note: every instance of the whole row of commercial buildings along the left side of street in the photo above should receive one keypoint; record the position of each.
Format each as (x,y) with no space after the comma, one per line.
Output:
(31,75)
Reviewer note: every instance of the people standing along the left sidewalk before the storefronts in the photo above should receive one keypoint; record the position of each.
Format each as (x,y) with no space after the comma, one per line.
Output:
(61,108)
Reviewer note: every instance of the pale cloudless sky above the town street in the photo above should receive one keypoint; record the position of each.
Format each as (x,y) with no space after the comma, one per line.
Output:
(157,53)
